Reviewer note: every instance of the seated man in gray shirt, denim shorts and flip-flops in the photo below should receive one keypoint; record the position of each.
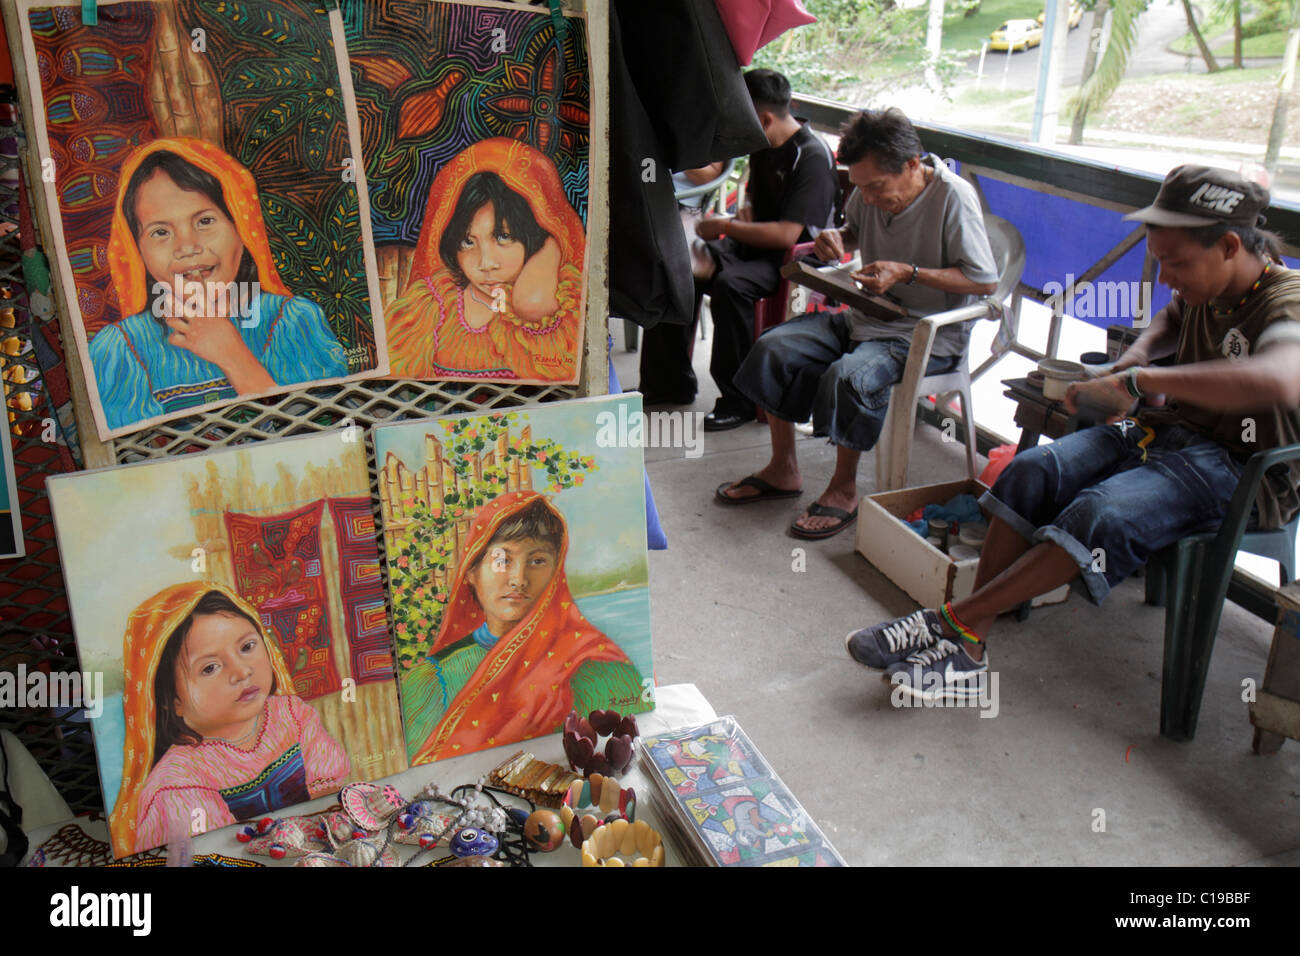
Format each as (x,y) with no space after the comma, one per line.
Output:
(922,239)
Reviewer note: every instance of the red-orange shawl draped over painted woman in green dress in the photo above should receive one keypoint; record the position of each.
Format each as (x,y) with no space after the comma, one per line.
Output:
(521,689)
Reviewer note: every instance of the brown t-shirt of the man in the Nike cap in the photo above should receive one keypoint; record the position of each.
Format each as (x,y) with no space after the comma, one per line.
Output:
(1271,317)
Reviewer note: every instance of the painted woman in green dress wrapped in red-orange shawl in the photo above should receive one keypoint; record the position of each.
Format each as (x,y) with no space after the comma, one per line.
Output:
(514,654)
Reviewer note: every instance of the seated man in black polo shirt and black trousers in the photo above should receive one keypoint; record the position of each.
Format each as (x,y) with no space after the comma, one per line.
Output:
(792,187)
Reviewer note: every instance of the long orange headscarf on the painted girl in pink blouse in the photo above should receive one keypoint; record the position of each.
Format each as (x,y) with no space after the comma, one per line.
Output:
(148,633)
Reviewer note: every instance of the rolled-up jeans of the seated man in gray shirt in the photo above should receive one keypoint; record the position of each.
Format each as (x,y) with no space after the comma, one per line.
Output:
(812,367)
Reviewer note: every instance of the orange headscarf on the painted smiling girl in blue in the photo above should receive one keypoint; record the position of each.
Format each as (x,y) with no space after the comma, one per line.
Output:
(241,194)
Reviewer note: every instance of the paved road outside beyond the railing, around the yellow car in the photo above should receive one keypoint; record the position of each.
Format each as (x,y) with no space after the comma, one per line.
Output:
(1159,27)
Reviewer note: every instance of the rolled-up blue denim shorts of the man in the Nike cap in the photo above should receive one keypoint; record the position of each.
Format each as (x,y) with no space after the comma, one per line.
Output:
(1113,495)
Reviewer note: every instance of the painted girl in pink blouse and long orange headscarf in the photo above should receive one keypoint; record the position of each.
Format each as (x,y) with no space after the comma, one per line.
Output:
(213,723)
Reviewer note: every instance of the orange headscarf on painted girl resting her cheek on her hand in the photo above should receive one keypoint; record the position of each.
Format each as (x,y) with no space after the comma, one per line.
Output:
(521,167)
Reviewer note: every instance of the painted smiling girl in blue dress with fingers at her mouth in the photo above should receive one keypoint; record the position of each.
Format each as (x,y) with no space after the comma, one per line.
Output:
(207,315)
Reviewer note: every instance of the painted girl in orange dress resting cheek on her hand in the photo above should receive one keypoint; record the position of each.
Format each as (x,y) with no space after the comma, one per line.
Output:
(496,289)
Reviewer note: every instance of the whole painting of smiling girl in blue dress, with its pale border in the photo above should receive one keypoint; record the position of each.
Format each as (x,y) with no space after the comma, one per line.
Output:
(209,232)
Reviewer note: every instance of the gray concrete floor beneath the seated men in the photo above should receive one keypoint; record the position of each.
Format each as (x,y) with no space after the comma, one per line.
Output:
(1076,742)
